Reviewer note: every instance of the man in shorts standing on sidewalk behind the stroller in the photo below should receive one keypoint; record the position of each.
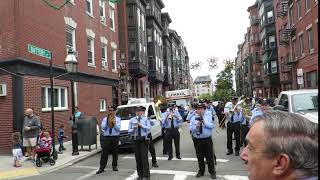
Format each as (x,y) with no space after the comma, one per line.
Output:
(31,127)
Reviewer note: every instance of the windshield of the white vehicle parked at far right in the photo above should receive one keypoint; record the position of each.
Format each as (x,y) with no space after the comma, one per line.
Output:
(305,102)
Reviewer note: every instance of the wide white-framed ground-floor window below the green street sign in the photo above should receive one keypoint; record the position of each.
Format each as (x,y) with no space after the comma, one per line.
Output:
(60,98)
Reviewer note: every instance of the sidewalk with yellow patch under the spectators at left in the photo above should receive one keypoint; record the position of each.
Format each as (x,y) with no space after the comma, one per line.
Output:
(7,171)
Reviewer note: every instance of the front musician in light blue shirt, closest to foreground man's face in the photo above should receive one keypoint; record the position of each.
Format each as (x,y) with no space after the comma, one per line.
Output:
(201,127)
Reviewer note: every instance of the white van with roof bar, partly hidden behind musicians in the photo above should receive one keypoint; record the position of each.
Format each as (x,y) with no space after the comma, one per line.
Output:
(126,112)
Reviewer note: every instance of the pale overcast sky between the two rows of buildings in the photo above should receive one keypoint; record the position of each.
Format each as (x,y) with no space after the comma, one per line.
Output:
(209,28)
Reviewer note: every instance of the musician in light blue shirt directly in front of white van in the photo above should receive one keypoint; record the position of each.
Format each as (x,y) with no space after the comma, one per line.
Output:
(139,128)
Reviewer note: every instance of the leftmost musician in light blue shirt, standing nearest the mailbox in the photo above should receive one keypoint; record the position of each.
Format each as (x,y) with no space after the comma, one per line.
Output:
(110,126)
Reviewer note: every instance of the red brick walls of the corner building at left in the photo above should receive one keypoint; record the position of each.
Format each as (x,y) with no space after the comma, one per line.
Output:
(34,22)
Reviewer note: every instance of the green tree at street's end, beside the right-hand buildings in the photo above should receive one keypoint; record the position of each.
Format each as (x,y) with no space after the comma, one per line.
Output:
(224,84)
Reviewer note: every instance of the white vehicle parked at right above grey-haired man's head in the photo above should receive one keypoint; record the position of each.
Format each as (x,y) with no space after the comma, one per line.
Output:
(303,102)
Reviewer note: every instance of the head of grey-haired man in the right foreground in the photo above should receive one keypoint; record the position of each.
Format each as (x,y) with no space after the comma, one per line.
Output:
(283,146)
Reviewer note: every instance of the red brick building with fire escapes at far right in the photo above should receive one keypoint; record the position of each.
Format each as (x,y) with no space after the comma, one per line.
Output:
(297,31)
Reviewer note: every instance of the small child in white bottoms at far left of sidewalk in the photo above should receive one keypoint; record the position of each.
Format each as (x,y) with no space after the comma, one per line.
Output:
(16,149)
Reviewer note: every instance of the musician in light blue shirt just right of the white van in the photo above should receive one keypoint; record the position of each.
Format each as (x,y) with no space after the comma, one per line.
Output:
(172,122)
